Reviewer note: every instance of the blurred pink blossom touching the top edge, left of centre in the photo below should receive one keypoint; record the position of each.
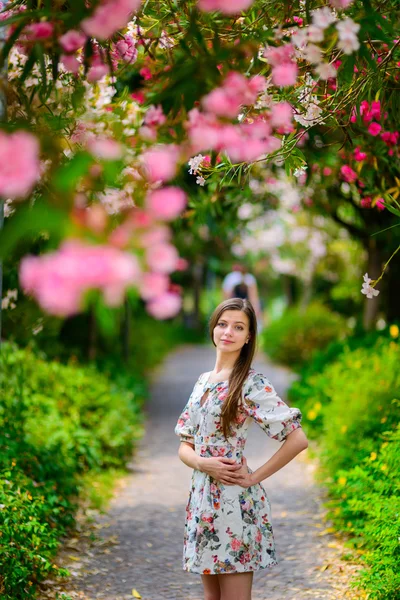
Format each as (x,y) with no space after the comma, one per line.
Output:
(109,17)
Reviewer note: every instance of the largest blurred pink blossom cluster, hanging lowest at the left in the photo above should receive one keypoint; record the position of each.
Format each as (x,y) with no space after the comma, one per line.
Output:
(60,279)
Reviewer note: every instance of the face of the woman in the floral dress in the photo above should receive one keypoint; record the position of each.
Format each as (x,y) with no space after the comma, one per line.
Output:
(231,331)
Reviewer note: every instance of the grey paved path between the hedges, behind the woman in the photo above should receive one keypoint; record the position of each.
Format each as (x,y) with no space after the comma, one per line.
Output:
(141,535)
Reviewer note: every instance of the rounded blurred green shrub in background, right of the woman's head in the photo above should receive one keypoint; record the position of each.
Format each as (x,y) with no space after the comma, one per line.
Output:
(294,338)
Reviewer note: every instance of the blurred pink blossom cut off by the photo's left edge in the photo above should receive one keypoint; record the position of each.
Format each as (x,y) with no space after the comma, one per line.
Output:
(19,164)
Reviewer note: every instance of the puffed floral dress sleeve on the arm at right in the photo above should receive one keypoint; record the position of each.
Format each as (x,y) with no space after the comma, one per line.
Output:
(273,415)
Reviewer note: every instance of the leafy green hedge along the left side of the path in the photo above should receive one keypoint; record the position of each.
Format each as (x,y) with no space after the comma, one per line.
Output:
(57,423)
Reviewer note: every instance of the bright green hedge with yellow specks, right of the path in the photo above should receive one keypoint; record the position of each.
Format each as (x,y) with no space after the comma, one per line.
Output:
(352,406)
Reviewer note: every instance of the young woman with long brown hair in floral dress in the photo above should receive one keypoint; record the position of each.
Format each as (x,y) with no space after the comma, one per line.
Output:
(228,533)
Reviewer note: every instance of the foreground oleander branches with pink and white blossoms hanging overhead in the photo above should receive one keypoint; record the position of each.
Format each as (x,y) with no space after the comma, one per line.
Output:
(109,101)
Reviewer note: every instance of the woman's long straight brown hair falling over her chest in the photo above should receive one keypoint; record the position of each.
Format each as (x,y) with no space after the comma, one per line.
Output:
(243,363)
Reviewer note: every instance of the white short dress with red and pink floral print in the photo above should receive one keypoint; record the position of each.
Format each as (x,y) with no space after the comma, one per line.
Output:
(228,527)
